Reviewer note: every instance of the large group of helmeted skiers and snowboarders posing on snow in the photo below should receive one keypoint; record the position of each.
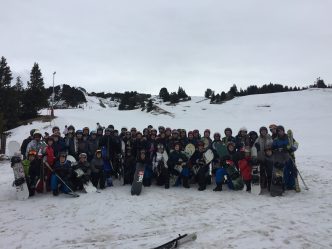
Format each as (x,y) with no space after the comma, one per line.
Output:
(66,160)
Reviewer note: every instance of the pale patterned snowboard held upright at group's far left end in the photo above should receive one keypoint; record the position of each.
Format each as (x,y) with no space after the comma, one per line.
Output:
(22,191)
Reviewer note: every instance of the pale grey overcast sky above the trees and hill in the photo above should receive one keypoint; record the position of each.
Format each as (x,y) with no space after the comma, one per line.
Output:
(144,45)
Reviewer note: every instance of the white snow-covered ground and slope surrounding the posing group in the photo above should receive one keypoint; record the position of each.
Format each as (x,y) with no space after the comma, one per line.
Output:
(115,219)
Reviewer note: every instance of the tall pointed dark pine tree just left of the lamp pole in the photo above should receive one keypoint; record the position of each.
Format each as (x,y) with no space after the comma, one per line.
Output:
(35,97)
